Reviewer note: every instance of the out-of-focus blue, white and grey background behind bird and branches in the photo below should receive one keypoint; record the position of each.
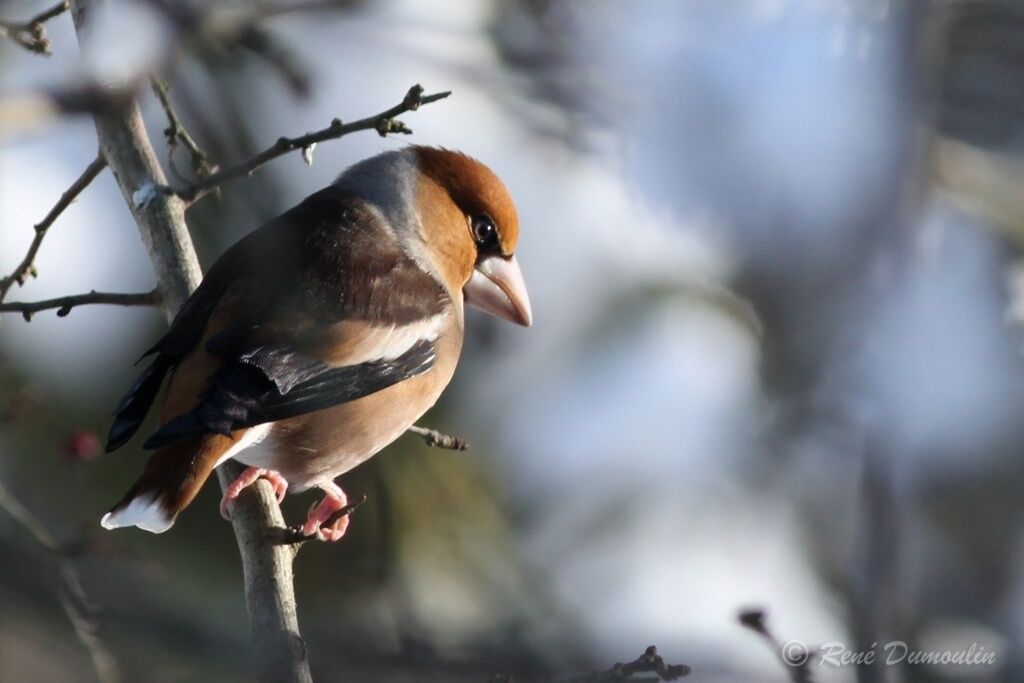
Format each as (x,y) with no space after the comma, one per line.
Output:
(774,249)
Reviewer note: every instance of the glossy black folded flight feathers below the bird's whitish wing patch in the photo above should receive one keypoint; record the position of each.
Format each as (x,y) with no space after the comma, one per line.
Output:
(276,383)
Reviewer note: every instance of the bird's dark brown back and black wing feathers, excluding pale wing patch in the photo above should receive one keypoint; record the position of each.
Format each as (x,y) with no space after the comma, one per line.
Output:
(264,306)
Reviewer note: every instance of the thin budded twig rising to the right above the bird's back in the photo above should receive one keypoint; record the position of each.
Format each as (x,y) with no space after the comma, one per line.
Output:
(383,123)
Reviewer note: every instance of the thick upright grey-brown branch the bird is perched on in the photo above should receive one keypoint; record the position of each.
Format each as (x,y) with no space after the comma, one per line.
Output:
(279,652)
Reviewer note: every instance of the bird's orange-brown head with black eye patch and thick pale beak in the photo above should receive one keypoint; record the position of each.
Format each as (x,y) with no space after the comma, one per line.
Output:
(472,229)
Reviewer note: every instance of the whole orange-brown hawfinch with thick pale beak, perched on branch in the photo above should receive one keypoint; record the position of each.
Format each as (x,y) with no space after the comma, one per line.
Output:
(320,338)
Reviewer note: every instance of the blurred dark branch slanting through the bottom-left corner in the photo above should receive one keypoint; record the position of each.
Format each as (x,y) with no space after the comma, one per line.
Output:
(74,600)
